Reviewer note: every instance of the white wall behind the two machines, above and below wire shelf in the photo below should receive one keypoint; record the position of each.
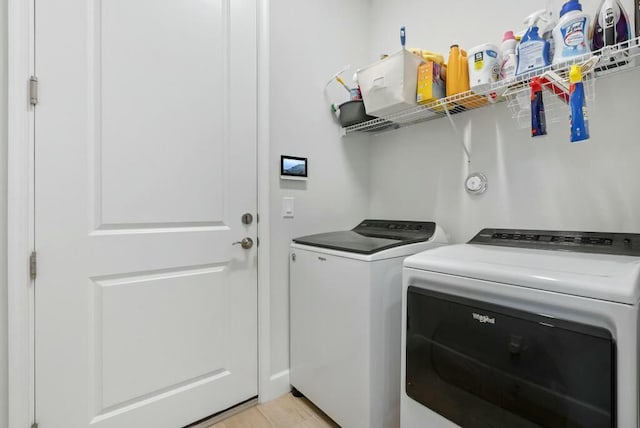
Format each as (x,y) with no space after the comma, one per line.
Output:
(545,182)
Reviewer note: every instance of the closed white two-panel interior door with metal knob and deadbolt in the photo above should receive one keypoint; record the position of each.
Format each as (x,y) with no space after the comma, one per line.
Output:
(145,162)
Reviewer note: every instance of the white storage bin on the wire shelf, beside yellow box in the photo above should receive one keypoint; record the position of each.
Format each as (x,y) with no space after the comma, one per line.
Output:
(389,85)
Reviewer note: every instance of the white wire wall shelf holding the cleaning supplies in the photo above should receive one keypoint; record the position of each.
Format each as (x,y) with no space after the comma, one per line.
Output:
(515,91)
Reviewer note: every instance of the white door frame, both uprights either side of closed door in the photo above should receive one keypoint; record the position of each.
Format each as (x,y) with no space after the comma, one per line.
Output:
(21,211)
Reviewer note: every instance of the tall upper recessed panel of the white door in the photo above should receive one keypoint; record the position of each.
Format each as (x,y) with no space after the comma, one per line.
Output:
(150,57)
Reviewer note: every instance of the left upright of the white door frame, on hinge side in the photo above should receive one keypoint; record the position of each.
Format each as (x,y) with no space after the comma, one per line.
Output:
(20,213)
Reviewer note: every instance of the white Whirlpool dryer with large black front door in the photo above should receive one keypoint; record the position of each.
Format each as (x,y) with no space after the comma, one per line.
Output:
(521,328)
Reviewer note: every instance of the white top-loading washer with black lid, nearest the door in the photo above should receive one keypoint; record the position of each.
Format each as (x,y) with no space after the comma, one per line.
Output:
(345,305)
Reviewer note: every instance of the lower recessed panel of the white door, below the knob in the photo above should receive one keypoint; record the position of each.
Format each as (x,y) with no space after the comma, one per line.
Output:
(168,308)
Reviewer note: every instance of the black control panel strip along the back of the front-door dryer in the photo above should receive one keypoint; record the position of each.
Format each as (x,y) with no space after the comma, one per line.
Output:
(624,244)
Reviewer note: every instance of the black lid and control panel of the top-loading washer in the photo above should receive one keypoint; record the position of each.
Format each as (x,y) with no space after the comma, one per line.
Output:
(372,236)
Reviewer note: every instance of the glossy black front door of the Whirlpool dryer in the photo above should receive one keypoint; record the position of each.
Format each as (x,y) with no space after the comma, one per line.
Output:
(483,365)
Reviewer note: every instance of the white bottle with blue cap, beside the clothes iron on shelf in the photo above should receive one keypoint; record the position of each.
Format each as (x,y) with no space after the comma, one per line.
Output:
(571,35)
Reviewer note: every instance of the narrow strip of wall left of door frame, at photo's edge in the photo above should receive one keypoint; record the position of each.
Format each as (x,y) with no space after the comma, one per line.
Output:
(3,214)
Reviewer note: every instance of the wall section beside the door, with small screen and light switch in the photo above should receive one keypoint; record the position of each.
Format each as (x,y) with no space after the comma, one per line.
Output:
(310,41)
